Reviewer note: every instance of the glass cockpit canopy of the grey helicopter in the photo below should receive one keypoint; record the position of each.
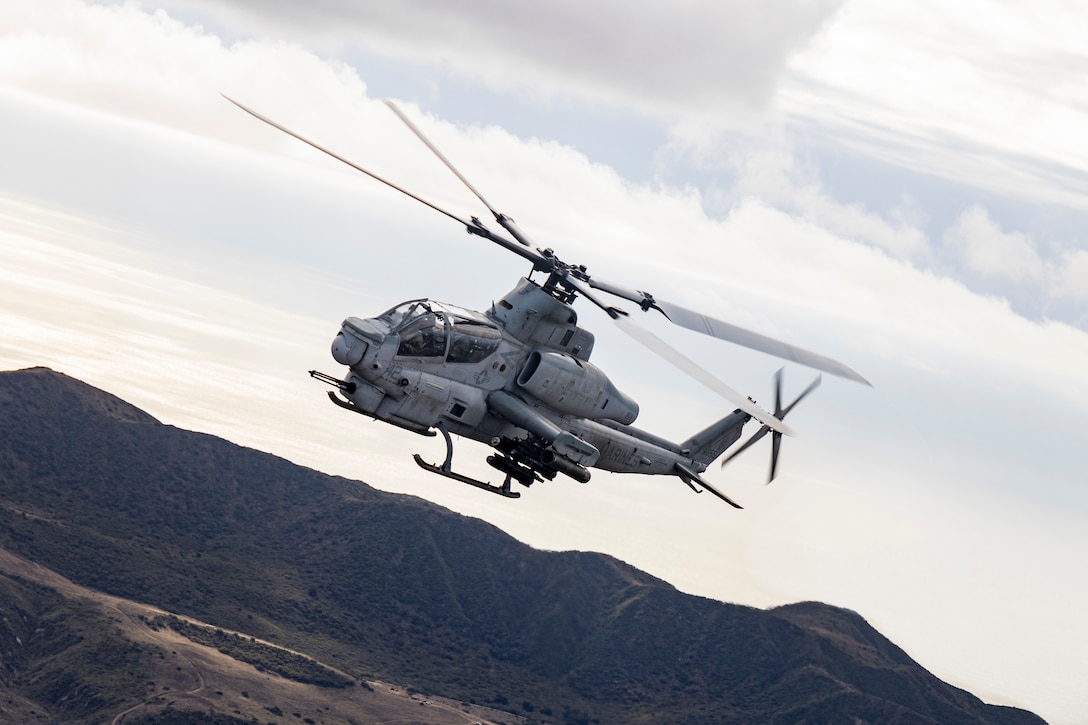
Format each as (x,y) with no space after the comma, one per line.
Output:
(432,330)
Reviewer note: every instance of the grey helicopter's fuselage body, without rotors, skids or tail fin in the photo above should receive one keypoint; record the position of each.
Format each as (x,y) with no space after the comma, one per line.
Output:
(517,373)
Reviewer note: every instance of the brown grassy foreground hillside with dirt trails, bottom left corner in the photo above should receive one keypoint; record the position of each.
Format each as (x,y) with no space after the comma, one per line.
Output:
(76,656)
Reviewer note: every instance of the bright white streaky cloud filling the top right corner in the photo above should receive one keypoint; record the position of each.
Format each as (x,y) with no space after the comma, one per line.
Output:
(982,94)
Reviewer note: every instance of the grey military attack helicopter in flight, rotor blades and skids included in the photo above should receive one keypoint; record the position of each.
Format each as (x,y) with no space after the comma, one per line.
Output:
(518,377)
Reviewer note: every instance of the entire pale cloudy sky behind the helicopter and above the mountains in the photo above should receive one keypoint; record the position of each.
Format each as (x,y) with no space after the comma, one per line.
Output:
(902,188)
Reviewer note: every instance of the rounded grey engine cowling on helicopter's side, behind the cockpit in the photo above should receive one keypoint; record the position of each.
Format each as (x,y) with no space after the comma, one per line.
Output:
(575,388)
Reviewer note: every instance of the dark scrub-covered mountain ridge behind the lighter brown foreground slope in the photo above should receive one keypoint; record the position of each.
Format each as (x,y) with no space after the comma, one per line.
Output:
(393,586)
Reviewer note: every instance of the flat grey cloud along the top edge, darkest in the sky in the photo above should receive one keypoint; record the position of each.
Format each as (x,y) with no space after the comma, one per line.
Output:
(659,59)
